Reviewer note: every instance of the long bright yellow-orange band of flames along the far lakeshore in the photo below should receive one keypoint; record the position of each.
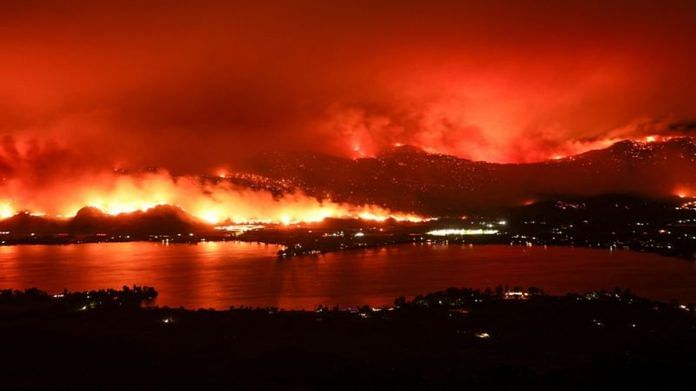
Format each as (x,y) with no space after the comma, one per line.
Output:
(210,201)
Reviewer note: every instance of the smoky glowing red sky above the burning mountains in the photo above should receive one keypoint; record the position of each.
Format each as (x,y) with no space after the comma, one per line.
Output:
(190,86)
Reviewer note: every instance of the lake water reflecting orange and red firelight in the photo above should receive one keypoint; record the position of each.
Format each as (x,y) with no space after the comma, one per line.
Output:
(217,275)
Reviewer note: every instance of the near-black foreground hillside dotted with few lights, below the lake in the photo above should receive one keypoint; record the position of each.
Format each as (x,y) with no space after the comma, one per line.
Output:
(457,339)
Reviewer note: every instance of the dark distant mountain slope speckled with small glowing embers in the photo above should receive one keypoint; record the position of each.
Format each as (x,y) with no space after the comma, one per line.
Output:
(409,179)
